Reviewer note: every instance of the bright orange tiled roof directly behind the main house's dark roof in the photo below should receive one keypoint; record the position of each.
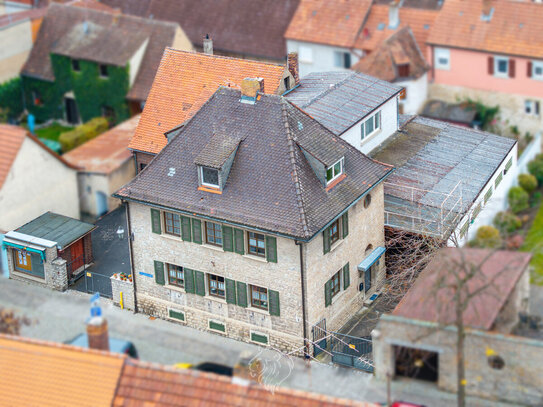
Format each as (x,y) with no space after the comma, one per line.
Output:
(184,81)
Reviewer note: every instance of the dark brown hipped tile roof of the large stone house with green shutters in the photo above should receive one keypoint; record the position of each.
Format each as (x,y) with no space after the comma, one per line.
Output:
(271,185)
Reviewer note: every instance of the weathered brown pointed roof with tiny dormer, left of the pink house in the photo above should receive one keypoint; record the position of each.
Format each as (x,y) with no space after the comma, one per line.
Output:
(401,48)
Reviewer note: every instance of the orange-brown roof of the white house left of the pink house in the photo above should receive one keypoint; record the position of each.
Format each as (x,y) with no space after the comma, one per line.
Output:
(332,22)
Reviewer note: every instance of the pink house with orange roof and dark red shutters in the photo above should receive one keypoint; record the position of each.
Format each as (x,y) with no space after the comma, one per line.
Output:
(490,52)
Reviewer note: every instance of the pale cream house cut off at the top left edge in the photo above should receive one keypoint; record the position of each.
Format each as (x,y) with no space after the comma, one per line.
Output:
(17,35)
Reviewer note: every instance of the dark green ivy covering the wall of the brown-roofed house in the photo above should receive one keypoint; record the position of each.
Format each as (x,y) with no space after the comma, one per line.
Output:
(91,91)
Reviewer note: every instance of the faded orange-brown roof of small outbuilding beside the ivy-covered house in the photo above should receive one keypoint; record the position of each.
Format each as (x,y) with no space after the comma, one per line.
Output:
(106,152)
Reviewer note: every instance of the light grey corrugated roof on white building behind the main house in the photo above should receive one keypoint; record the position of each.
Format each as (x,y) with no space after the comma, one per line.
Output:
(338,100)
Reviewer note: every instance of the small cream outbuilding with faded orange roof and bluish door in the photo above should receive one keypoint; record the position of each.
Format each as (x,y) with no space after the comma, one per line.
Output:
(105,164)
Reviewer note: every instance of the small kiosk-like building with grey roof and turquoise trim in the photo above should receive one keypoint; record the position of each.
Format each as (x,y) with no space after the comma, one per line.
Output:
(52,250)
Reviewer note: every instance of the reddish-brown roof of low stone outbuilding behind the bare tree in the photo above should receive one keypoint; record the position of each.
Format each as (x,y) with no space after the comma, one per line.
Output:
(498,274)
